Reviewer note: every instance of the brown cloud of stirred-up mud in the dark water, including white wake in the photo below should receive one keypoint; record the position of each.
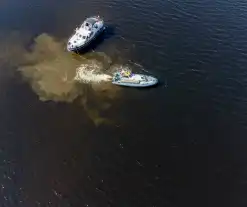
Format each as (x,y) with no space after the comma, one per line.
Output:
(57,75)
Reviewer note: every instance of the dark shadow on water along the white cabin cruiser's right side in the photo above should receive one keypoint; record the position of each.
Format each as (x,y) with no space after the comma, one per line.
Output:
(108,33)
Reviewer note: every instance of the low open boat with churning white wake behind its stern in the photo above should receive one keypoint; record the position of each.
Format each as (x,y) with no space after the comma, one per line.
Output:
(127,78)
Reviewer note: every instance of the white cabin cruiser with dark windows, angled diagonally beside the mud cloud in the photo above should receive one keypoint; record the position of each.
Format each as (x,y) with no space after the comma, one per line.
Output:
(88,31)
